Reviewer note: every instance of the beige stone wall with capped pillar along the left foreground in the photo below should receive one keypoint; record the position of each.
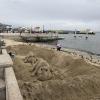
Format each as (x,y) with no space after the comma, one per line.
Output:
(9,89)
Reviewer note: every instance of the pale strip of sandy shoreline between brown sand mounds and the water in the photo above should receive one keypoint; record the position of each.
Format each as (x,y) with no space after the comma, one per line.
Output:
(87,56)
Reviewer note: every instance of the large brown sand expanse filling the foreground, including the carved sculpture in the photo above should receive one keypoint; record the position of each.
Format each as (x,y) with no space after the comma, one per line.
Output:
(47,74)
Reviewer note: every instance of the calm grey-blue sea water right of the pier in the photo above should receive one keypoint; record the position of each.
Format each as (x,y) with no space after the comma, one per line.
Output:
(92,44)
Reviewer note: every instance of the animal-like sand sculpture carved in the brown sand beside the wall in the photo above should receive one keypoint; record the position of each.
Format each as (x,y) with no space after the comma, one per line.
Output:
(41,68)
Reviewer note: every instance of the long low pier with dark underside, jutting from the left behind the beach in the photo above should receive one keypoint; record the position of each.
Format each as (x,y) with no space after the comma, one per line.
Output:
(36,37)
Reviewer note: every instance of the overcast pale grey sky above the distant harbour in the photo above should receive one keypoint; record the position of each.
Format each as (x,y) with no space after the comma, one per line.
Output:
(54,14)
